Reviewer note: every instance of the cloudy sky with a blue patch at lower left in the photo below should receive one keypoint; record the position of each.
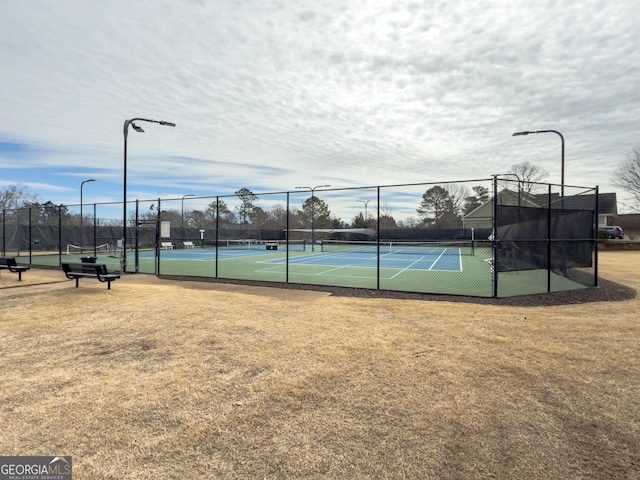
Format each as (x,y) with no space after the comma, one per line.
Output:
(274,94)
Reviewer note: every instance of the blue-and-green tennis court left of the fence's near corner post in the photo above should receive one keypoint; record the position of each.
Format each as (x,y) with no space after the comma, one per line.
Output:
(405,266)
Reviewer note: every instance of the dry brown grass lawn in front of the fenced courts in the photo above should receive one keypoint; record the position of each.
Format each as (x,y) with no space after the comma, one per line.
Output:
(162,380)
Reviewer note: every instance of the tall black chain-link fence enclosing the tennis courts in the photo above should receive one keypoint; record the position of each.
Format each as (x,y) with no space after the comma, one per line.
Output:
(493,237)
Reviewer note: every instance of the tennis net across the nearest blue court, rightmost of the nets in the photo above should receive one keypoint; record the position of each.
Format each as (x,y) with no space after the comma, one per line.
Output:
(453,247)
